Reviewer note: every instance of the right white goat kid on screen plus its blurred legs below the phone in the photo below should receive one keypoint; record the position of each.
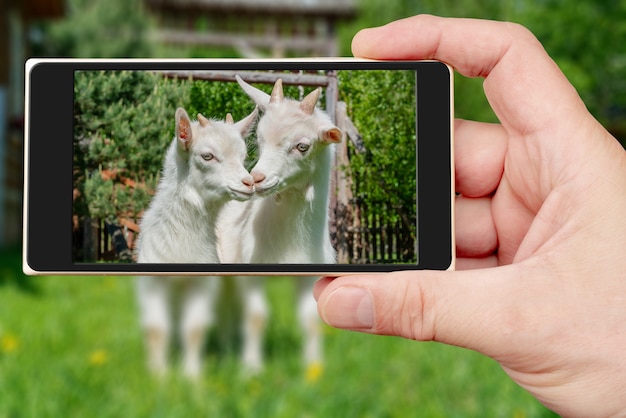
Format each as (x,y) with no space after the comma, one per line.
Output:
(290,223)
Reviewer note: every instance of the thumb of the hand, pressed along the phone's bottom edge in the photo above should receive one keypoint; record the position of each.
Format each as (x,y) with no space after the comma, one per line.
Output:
(473,309)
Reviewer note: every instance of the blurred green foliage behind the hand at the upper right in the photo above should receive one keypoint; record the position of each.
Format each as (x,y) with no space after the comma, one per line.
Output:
(584,37)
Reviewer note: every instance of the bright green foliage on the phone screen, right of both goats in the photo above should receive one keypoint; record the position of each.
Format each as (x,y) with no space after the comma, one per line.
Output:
(381,104)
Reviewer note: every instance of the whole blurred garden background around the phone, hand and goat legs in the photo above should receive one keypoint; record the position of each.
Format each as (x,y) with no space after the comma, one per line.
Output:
(71,346)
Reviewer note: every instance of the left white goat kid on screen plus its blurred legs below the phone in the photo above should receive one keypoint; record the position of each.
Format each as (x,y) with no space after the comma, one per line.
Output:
(203,170)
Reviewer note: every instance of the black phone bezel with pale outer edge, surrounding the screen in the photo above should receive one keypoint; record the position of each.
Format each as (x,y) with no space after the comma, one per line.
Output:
(48,121)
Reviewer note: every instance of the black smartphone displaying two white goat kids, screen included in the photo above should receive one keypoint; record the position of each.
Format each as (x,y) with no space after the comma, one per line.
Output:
(232,167)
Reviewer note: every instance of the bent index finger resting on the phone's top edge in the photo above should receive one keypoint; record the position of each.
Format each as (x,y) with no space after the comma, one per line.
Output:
(523,85)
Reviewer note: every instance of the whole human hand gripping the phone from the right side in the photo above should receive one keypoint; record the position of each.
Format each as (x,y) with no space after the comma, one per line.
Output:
(540,227)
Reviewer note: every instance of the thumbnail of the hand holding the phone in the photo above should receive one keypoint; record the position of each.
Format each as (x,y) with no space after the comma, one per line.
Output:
(350,308)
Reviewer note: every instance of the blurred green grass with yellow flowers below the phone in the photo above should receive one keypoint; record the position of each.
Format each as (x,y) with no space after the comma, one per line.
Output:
(71,347)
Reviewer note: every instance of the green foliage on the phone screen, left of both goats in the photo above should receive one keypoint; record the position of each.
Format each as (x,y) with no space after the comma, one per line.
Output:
(124,122)
